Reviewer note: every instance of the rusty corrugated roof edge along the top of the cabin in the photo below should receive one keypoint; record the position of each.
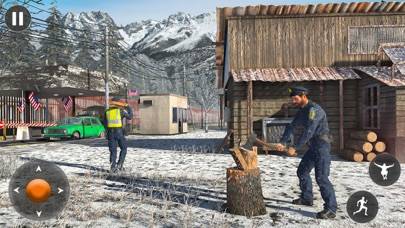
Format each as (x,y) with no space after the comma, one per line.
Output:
(330,8)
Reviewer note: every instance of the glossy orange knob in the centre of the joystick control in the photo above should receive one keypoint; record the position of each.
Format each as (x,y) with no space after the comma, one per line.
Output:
(38,190)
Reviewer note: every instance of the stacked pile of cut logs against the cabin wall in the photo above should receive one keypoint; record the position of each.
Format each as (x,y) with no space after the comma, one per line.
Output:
(363,146)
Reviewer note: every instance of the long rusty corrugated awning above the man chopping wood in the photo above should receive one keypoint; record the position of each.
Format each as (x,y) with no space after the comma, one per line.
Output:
(294,74)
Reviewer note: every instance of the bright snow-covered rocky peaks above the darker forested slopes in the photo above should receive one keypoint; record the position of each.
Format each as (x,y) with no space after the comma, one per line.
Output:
(179,32)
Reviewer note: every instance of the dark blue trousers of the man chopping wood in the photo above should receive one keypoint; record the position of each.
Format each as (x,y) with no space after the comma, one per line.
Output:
(318,157)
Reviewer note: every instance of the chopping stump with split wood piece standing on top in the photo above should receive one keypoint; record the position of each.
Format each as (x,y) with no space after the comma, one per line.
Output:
(244,189)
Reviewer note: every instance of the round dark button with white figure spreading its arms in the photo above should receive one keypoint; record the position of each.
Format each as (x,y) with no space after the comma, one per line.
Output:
(385,169)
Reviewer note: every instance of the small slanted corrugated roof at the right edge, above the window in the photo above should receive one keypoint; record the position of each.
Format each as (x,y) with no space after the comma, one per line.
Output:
(383,74)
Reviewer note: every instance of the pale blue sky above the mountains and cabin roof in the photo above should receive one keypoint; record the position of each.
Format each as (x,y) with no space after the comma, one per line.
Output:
(127,11)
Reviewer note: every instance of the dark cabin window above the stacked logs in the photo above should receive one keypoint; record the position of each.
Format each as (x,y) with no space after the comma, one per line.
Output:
(371,112)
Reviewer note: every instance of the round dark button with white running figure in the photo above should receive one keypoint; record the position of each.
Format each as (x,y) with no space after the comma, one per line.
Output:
(362,207)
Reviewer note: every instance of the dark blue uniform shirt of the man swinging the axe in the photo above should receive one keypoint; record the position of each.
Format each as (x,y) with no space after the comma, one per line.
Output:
(313,118)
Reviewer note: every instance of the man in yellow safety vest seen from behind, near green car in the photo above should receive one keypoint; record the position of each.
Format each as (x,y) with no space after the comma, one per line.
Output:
(115,133)
